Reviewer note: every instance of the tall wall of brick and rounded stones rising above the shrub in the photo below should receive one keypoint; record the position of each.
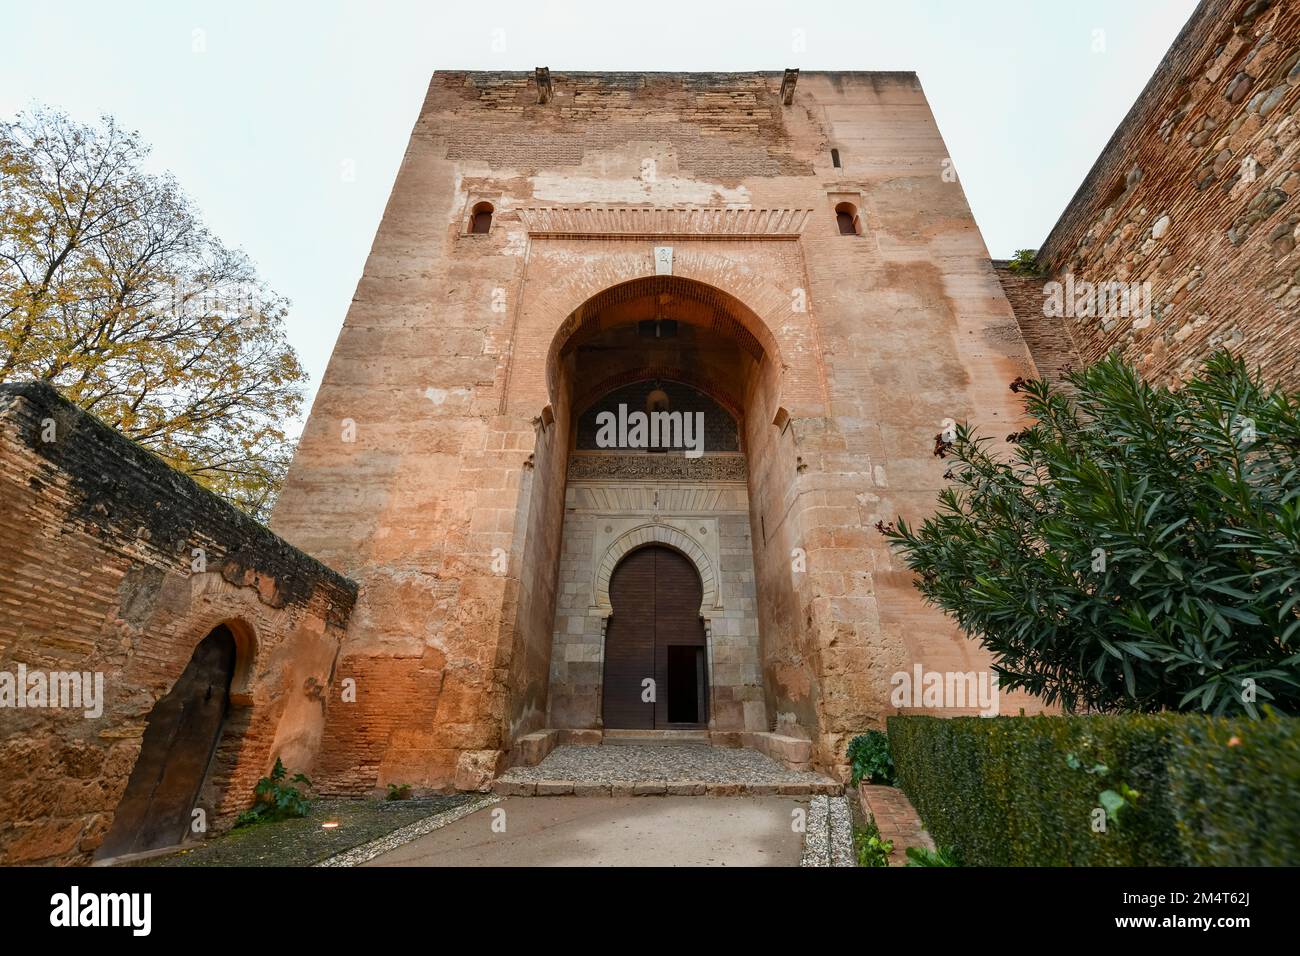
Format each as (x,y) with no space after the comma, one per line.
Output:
(1198,194)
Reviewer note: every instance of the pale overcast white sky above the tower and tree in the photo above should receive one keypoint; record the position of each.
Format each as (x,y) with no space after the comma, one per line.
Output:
(287,122)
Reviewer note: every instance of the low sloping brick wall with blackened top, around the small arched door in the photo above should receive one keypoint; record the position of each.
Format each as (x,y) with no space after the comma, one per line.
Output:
(98,550)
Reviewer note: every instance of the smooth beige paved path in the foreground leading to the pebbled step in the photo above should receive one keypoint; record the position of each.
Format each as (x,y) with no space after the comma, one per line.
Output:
(616,832)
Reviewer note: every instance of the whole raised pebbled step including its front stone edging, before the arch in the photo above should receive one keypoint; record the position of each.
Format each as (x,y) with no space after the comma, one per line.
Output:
(657,771)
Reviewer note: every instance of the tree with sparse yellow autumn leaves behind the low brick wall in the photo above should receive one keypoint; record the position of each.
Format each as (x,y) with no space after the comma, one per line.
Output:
(112,291)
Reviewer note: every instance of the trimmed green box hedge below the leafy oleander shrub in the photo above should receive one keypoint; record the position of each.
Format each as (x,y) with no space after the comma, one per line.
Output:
(1017,791)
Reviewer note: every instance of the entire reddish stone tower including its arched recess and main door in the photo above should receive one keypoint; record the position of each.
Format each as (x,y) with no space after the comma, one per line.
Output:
(792,259)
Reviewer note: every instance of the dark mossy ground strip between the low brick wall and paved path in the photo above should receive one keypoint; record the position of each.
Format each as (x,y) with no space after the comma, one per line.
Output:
(305,842)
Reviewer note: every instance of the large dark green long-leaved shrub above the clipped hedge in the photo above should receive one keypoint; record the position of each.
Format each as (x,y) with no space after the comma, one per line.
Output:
(1141,551)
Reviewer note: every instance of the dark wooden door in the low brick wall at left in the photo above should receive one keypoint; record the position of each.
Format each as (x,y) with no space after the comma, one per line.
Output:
(180,737)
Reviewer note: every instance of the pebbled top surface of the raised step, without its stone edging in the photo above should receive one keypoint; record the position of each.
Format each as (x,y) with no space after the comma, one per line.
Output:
(639,763)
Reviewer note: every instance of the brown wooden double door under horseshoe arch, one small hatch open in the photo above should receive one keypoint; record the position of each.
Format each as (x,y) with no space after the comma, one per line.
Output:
(656,668)
